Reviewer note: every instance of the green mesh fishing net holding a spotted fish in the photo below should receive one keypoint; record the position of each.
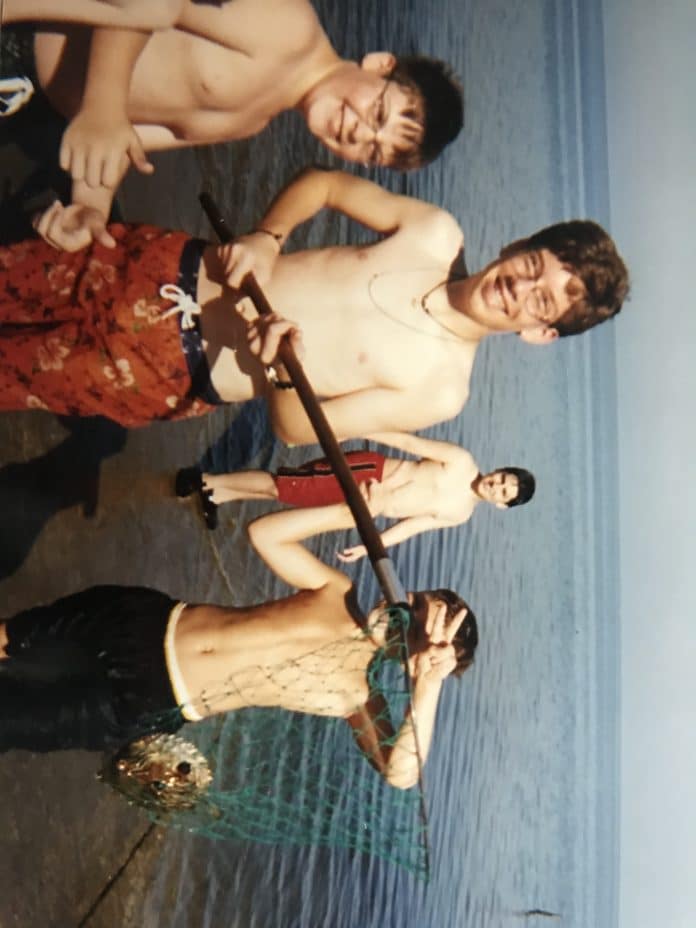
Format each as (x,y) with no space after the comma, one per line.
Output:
(286,777)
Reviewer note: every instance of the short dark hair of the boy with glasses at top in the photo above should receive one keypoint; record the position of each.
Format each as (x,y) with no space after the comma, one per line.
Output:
(441,109)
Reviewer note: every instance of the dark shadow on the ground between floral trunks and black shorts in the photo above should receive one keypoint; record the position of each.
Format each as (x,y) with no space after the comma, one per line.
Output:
(31,492)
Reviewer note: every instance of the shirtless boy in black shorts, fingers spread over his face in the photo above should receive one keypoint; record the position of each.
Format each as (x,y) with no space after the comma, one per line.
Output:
(109,664)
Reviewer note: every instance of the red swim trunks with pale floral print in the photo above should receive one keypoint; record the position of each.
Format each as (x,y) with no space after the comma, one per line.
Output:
(88,333)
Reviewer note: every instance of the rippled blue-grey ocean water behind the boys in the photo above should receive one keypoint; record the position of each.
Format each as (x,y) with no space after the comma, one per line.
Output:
(522,777)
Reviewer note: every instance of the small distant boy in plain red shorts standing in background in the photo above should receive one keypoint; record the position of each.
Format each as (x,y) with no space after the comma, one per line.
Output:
(441,490)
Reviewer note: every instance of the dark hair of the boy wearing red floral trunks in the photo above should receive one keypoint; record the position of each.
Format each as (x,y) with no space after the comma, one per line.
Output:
(588,252)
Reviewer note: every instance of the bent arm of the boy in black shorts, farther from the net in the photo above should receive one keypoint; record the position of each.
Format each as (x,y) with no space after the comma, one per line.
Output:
(278,538)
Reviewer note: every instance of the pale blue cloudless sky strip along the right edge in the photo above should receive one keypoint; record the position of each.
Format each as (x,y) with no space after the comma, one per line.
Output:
(650,52)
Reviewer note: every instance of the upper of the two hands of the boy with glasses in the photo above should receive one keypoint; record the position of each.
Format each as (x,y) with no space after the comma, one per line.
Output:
(96,149)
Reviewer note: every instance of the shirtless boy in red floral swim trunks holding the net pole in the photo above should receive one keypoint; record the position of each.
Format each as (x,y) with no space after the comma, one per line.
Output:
(390,329)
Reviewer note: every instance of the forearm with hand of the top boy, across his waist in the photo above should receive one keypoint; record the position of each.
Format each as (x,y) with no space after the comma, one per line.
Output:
(100,136)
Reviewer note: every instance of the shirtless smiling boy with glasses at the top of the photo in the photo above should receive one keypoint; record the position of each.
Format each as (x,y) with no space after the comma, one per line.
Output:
(222,73)
